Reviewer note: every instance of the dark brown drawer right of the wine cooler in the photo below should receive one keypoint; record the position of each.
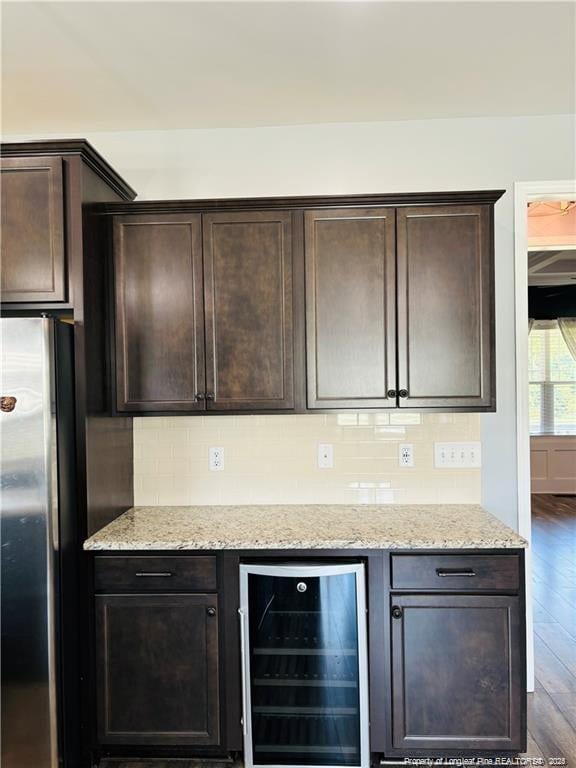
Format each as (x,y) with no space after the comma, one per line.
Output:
(449,573)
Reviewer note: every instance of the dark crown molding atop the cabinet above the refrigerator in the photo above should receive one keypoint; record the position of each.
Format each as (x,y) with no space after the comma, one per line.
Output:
(81,147)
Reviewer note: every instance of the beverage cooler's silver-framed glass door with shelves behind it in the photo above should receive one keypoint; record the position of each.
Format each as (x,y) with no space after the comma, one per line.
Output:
(304,665)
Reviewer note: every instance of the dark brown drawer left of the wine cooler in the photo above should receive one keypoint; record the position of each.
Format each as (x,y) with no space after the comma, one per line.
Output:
(151,574)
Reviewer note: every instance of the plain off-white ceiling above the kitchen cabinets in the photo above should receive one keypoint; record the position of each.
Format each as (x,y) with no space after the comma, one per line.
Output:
(159,65)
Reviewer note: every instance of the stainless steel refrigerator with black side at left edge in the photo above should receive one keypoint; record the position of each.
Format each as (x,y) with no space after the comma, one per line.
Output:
(39,544)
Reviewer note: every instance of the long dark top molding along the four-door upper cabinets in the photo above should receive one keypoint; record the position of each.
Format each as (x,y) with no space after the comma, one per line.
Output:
(477,197)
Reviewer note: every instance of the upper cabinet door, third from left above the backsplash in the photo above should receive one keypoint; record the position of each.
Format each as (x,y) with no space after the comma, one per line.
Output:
(350,308)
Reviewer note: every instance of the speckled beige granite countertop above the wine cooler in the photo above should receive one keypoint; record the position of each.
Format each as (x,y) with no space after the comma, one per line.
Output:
(306,526)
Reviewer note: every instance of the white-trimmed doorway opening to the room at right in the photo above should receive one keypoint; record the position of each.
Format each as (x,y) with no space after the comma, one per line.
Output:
(545,252)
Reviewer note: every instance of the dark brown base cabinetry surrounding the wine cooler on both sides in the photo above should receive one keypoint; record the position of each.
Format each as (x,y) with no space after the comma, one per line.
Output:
(446,639)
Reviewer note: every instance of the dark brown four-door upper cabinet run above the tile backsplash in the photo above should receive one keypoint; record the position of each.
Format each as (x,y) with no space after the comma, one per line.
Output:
(376,301)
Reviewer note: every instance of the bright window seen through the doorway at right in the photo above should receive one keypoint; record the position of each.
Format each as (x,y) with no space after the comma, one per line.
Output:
(552,373)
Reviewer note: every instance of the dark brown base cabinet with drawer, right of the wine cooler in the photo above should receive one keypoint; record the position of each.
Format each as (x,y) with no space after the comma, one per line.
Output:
(457,653)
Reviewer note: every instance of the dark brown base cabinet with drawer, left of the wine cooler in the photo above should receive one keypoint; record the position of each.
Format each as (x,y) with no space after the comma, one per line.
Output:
(157,659)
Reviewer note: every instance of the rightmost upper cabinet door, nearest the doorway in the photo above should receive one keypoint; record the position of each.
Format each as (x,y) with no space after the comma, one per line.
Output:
(445,307)
